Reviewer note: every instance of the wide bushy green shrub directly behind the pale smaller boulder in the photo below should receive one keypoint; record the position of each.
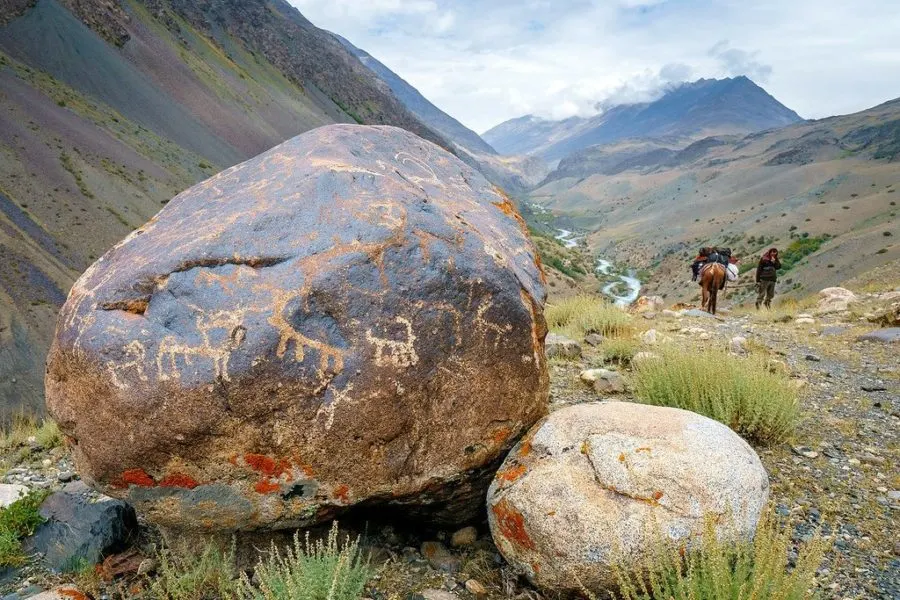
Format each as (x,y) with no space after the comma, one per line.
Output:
(739,392)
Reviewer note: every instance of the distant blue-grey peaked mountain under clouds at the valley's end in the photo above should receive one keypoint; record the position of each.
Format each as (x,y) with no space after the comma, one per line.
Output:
(689,111)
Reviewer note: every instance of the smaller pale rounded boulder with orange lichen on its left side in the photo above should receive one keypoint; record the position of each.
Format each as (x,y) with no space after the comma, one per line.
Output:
(591,486)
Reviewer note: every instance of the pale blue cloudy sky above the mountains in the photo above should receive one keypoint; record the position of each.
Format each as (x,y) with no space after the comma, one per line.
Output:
(487,61)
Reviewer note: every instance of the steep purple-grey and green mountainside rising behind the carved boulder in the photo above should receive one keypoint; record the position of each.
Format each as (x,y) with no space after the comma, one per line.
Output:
(108,109)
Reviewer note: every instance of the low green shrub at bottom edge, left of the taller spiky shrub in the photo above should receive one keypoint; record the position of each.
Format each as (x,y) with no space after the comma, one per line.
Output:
(185,575)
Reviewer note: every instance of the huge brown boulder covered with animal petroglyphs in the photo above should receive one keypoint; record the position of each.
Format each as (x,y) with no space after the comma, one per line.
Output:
(351,318)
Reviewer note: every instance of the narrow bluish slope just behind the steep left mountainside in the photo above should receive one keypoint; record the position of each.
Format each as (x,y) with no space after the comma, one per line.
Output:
(451,129)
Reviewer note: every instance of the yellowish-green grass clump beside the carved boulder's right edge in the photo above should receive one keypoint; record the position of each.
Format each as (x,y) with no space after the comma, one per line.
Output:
(579,315)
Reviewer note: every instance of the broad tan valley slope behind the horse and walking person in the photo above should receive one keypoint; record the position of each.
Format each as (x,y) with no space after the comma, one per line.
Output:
(826,188)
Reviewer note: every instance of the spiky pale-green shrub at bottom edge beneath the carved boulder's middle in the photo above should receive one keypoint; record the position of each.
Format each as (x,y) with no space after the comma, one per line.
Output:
(321,570)
